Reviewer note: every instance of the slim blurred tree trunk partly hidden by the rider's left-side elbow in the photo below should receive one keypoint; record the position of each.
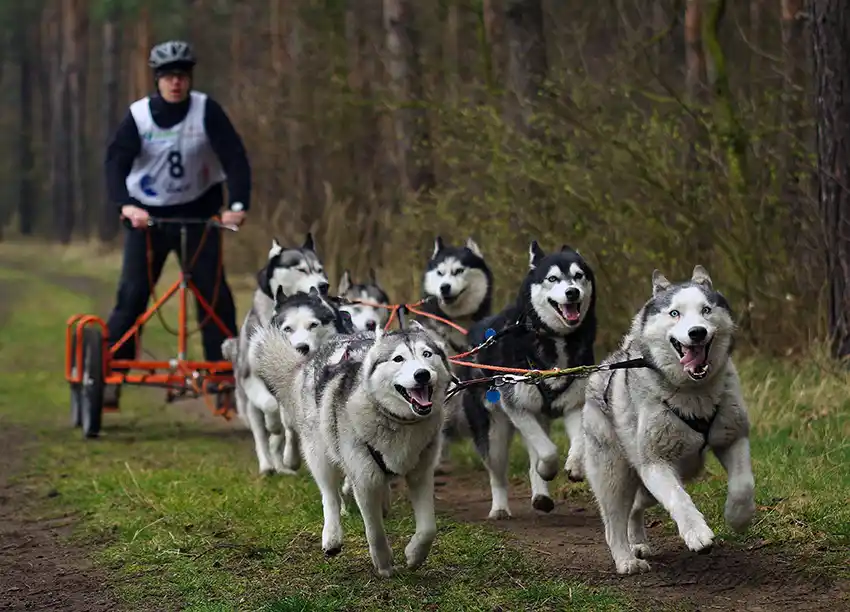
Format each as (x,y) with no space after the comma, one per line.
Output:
(109,223)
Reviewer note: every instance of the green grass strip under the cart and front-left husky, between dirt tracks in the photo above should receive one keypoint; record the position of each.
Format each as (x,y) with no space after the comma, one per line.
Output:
(172,505)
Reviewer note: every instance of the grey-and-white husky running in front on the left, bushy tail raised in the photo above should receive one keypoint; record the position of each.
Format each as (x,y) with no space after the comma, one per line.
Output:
(372,415)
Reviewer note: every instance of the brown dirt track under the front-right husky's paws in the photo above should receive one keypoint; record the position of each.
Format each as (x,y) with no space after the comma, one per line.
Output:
(571,542)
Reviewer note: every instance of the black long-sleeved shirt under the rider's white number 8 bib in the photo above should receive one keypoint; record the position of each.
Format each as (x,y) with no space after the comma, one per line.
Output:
(225,141)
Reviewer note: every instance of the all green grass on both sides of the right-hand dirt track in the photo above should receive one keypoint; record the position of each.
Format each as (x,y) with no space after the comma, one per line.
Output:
(171,503)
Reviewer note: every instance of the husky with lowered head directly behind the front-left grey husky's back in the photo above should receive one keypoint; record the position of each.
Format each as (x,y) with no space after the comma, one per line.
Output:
(307,320)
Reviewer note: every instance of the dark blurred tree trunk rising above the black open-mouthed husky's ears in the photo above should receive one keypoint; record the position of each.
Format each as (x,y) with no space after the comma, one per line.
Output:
(527,63)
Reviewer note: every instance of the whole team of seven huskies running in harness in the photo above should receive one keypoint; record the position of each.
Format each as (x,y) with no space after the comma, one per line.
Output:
(318,378)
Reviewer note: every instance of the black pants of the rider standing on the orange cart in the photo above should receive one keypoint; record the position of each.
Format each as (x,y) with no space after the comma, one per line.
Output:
(134,287)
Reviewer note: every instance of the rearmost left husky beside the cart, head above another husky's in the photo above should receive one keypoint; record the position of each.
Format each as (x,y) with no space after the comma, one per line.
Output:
(290,270)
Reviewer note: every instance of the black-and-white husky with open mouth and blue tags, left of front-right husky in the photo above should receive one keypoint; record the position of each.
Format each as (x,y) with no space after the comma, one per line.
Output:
(553,323)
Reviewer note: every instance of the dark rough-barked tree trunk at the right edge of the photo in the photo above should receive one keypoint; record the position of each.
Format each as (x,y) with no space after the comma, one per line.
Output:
(831,50)
